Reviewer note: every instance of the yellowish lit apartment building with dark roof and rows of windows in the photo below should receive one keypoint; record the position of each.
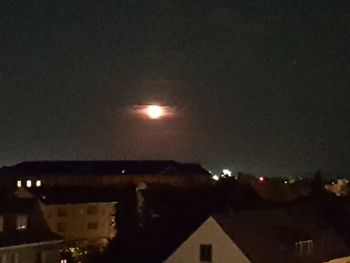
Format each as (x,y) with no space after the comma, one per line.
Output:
(83,219)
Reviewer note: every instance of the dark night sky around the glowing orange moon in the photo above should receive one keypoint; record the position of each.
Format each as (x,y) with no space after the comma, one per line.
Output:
(258,86)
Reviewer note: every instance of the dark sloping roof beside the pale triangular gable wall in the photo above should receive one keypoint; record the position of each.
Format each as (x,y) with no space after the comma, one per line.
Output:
(261,234)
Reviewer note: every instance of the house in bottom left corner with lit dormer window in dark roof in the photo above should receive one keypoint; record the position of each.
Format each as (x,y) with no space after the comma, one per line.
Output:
(24,236)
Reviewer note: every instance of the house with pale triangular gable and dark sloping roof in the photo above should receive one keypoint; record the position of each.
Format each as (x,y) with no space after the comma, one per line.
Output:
(284,235)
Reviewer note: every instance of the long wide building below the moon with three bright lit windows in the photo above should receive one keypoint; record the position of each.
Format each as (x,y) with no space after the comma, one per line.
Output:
(102,173)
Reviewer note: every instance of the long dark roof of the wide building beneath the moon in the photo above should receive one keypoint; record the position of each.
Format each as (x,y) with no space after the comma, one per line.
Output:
(146,167)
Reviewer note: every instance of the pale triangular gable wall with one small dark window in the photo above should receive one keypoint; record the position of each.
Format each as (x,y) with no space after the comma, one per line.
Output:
(224,250)
